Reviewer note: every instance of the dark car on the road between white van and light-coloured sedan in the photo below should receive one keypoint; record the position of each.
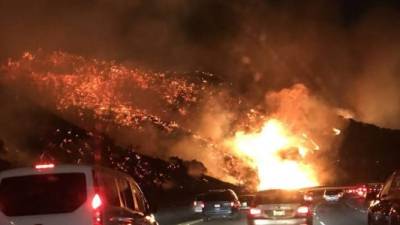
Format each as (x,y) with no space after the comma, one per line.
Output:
(219,204)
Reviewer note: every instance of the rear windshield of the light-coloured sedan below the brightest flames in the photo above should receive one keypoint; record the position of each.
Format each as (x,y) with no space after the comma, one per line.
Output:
(278,197)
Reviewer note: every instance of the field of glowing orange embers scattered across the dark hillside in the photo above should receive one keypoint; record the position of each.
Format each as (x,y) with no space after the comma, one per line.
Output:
(110,91)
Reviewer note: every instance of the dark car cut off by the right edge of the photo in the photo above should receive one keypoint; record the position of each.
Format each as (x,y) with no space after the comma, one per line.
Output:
(384,209)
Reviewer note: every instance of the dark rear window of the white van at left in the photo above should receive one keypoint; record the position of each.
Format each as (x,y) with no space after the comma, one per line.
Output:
(42,194)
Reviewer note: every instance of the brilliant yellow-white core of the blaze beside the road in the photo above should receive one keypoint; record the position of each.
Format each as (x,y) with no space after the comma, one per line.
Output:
(278,155)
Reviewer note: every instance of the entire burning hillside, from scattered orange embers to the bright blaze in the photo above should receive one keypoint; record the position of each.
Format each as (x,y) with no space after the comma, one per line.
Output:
(275,144)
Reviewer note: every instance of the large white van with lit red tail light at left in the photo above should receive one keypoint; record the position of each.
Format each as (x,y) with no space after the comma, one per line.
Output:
(72,194)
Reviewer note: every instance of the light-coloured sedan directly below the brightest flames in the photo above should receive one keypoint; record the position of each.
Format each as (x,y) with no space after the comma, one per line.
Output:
(280,207)
